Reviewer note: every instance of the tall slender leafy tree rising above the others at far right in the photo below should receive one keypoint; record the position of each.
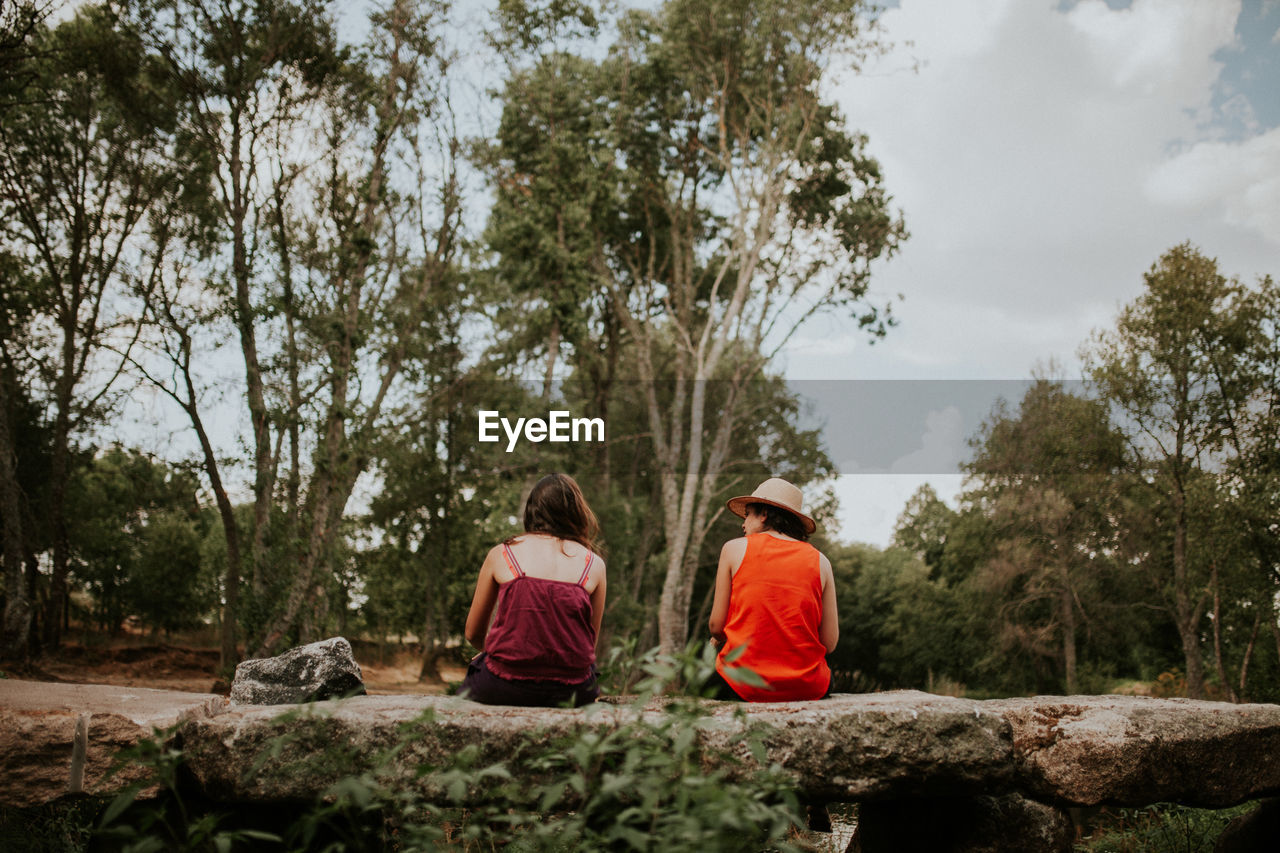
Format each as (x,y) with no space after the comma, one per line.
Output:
(1163,372)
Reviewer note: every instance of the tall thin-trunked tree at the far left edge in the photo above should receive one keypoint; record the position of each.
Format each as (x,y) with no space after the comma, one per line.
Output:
(80,172)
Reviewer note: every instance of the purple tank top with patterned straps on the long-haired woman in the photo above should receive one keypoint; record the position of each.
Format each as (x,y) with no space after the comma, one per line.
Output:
(542,630)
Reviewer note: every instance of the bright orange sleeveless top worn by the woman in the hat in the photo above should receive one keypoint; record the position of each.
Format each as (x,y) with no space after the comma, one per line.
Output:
(775,610)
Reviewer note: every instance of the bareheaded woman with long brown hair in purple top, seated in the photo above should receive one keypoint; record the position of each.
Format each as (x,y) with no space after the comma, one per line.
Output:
(548,589)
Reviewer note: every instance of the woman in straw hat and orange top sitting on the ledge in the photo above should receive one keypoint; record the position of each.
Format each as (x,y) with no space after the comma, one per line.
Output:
(775,609)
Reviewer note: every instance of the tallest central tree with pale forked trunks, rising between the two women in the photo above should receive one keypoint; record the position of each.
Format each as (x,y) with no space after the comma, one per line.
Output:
(696,181)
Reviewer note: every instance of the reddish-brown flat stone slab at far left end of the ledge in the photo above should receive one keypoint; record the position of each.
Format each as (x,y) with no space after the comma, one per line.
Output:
(57,740)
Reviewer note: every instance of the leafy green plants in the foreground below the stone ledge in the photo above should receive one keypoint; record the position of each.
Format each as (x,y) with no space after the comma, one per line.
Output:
(648,784)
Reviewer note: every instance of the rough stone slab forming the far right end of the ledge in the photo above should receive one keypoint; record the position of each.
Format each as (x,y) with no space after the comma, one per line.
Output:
(1135,751)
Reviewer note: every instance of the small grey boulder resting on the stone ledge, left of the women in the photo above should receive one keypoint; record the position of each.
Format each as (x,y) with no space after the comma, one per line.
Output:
(312,673)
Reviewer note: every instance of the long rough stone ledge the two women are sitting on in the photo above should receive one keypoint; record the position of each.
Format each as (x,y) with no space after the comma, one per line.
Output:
(971,767)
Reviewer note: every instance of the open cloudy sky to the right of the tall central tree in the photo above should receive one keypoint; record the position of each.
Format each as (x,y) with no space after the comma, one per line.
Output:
(1044,154)
